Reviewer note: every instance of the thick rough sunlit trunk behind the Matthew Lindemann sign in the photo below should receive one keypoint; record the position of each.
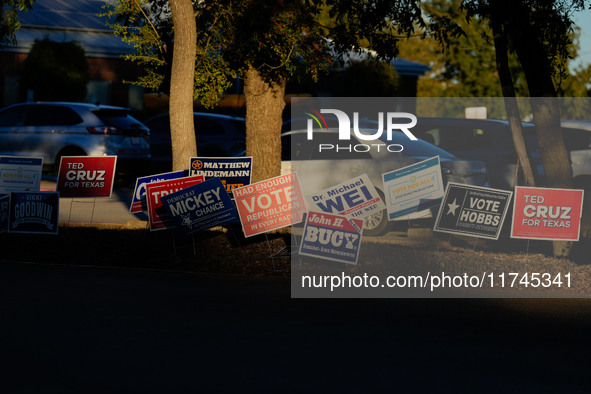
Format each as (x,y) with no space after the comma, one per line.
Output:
(264,108)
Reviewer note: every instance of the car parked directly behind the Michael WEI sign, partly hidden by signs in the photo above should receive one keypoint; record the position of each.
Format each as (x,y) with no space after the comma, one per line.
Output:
(320,170)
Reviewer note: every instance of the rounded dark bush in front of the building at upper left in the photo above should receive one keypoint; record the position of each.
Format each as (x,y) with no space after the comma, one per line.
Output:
(55,71)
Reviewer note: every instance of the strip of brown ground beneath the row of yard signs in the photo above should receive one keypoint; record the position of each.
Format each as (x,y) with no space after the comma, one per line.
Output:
(226,251)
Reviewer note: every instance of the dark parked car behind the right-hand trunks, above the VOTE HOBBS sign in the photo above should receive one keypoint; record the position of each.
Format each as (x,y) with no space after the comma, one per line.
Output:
(490,140)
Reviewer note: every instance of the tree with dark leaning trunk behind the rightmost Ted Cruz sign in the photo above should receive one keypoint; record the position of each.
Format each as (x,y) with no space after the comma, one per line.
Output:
(539,33)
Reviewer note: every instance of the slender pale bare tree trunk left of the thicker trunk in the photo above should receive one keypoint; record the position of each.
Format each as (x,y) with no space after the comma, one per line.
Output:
(182,79)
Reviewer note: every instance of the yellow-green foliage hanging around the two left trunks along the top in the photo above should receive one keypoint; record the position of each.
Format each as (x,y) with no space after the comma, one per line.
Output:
(280,39)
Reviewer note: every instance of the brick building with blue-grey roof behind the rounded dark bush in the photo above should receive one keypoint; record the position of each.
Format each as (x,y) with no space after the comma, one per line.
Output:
(78,21)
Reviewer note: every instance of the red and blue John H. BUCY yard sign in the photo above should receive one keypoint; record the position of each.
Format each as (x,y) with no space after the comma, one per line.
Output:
(332,237)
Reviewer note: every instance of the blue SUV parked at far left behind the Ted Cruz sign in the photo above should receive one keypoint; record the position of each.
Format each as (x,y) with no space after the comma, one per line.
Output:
(54,129)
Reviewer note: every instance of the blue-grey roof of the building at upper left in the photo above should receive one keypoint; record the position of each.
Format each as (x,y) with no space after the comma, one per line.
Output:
(69,20)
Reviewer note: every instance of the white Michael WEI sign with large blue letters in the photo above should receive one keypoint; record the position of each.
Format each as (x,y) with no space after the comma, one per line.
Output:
(356,198)
